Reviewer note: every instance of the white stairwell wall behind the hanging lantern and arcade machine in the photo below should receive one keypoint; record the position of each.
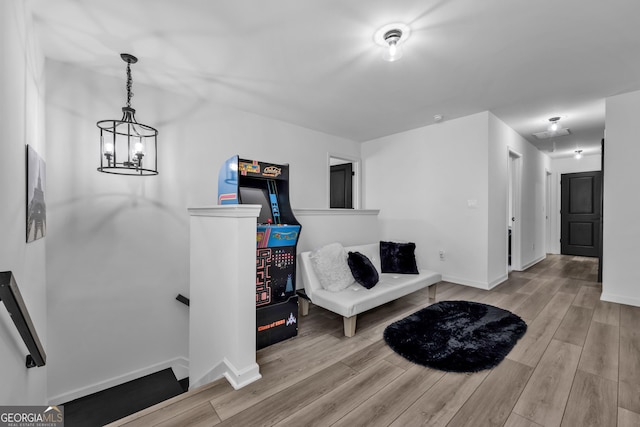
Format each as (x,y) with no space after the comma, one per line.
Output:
(118,248)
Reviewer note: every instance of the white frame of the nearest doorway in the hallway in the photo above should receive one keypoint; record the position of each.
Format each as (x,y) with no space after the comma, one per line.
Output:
(514,195)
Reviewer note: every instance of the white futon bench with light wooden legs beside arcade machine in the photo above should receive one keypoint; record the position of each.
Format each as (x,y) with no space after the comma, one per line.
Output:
(356,299)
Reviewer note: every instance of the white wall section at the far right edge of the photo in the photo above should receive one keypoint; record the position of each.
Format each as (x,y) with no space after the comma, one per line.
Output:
(620,275)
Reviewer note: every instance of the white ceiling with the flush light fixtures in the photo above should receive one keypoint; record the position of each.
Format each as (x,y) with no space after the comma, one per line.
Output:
(314,62)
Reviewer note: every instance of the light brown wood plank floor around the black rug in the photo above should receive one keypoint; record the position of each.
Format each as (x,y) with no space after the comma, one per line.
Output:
(577,365)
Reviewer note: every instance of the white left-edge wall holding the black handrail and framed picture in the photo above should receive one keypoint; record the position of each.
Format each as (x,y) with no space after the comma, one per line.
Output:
(22,111)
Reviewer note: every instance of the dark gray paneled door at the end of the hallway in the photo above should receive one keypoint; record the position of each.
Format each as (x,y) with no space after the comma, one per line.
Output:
(581,198)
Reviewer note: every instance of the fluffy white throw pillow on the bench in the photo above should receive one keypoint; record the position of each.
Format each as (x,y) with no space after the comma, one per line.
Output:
(330,265)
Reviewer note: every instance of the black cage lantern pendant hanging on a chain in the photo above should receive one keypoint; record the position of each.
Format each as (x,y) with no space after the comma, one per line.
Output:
(126,146)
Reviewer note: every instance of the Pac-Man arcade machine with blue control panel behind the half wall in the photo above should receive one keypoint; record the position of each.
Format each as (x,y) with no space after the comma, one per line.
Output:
(266,184)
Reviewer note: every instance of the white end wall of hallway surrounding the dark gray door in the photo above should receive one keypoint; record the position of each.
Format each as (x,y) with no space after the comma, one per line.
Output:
(561,166)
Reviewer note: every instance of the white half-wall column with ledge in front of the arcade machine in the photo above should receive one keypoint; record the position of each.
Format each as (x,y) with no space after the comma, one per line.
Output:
(222,312)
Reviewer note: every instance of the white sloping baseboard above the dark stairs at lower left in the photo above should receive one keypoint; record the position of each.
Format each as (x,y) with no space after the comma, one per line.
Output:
(179,365)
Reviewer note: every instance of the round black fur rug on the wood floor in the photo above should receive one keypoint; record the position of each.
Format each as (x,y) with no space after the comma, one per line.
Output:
(456,336)
